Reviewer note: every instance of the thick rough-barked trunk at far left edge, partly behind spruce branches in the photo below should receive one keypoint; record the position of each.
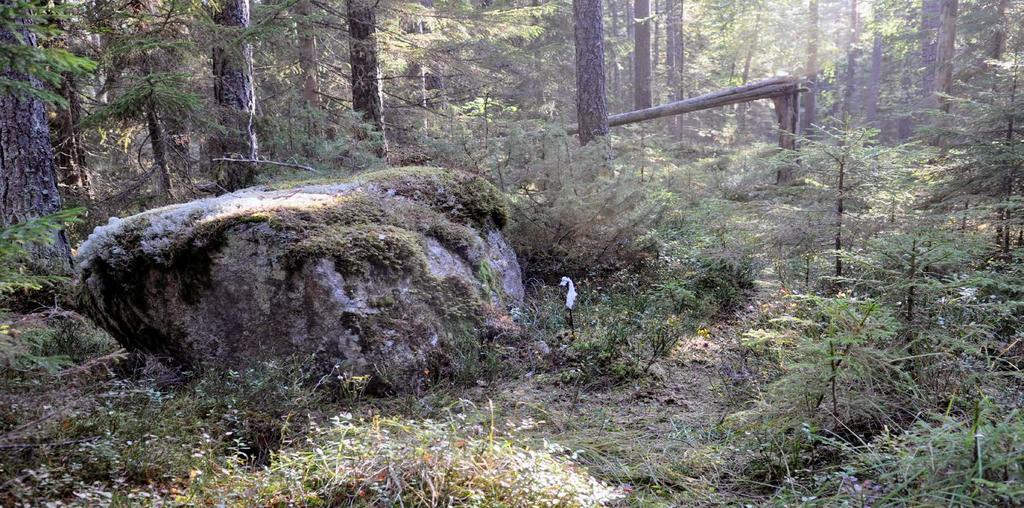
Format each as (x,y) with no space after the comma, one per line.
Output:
(28,176)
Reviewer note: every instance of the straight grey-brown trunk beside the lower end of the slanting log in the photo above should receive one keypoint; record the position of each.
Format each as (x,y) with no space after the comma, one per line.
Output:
(592,110)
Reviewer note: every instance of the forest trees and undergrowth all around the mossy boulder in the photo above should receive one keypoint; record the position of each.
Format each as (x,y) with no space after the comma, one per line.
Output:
(816,302)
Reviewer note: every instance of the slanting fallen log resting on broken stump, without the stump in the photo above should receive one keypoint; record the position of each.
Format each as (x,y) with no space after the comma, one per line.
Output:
(770,89)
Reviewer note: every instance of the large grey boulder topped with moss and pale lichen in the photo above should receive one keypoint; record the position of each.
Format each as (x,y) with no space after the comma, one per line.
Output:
(393,274)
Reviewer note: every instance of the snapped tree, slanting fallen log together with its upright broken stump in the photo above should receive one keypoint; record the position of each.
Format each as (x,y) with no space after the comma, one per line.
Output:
(783,91)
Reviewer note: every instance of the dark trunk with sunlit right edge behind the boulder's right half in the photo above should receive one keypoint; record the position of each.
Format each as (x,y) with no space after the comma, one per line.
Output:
(367,93)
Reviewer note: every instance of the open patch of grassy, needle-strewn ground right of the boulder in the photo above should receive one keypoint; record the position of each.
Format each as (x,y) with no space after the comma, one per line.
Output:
(659,438)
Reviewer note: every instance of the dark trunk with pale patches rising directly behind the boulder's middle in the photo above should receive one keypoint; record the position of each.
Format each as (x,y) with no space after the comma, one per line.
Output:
(233,90)
